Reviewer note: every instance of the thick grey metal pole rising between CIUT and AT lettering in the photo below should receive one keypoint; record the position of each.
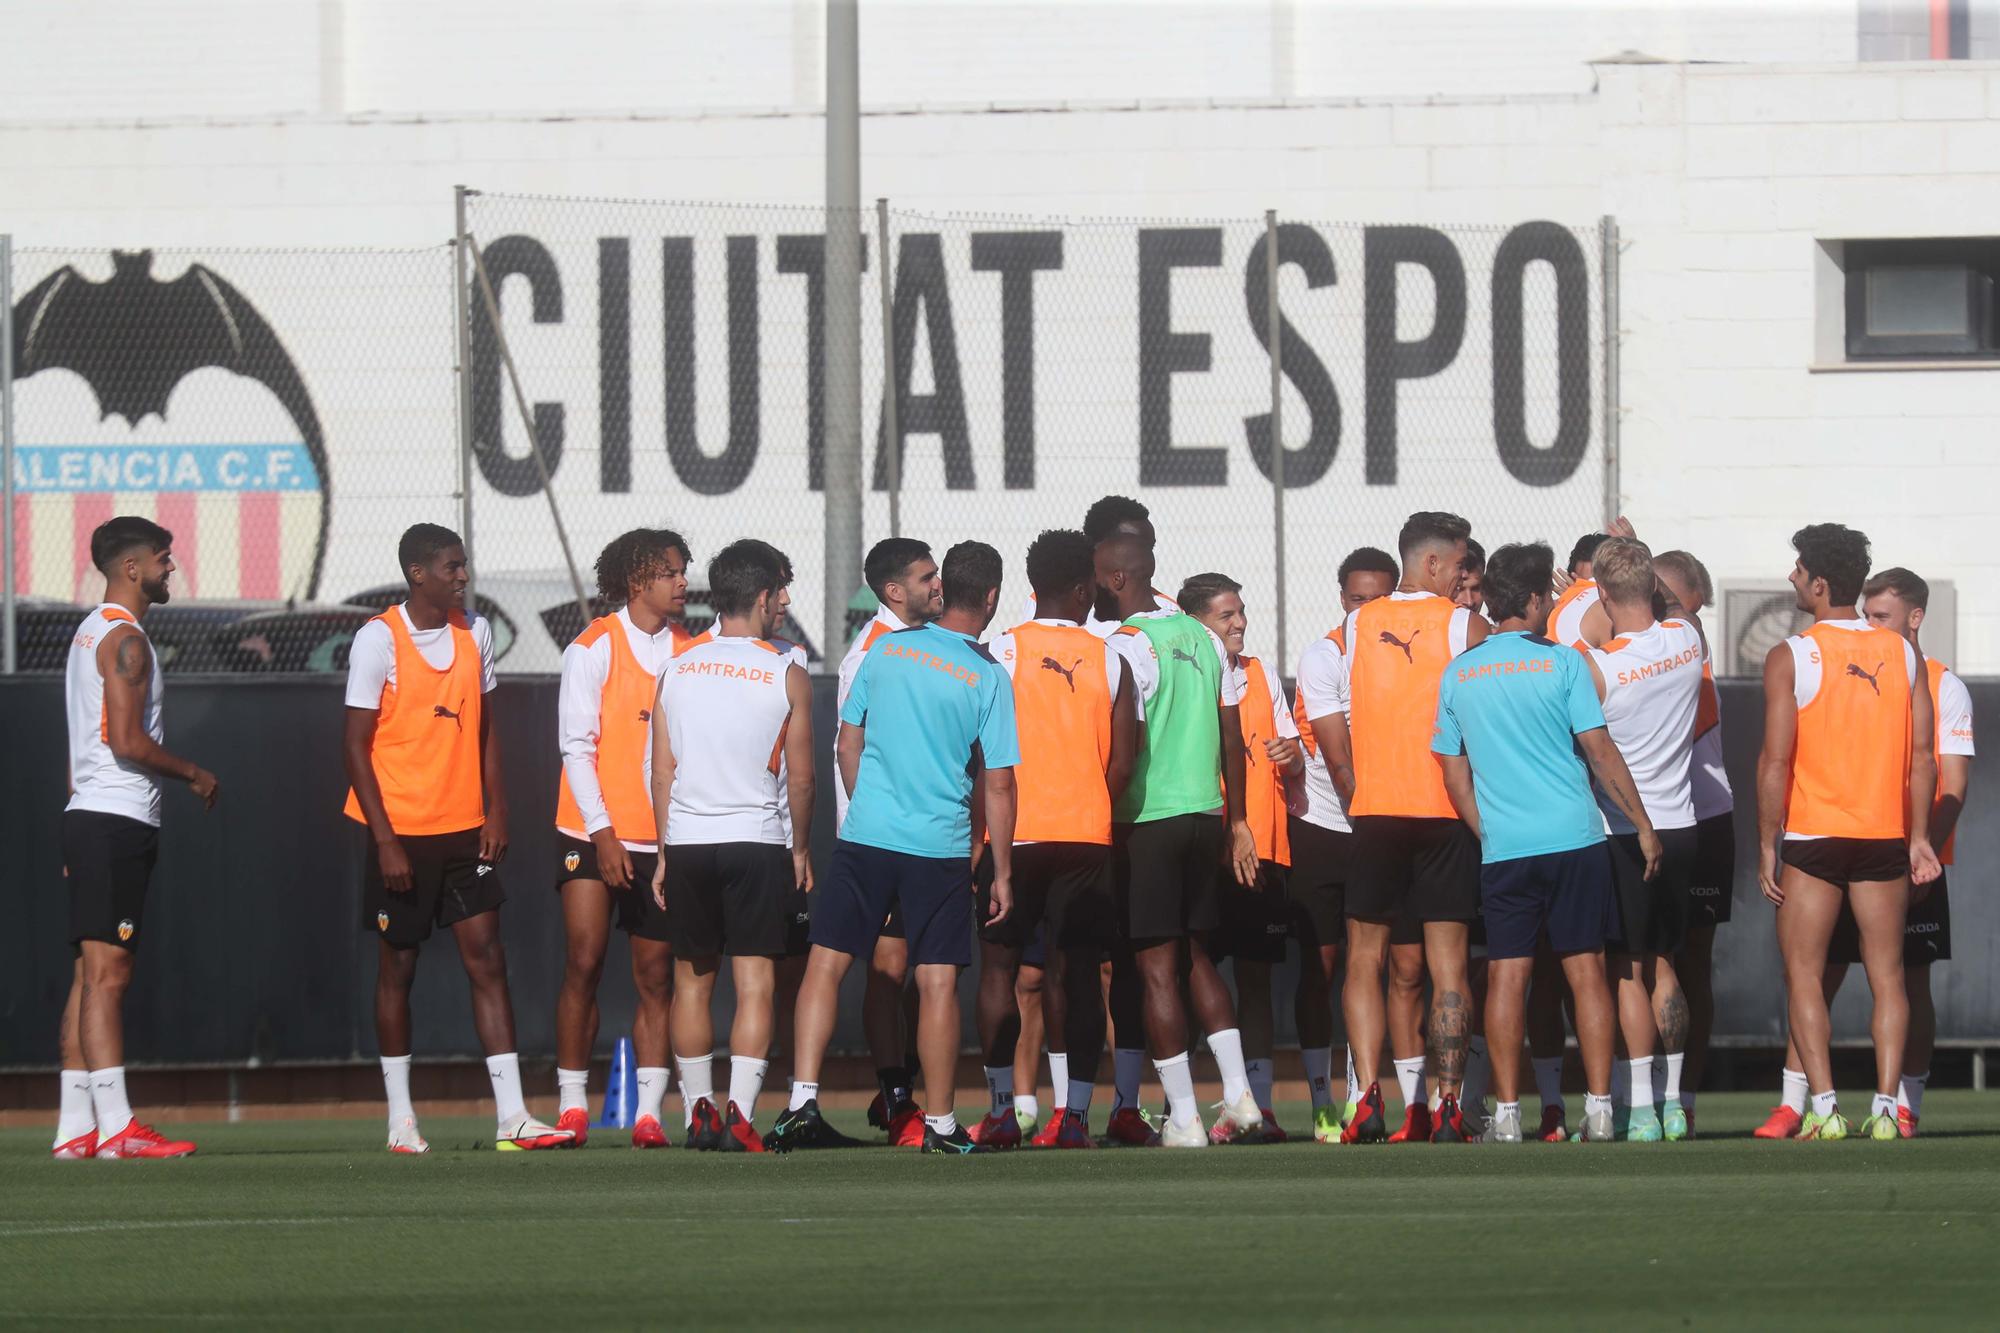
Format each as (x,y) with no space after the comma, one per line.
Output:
(843,333)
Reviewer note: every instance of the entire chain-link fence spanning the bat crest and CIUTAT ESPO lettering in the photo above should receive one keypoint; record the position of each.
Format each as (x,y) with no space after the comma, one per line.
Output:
(291,413)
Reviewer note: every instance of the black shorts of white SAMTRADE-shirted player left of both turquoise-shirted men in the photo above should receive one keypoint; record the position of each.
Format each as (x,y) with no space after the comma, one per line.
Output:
(729,900)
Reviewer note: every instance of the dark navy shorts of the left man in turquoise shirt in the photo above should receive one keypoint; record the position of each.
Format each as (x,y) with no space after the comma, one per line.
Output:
(863,884)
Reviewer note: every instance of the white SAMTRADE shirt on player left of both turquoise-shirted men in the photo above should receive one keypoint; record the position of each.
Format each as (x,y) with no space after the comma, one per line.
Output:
(727,712)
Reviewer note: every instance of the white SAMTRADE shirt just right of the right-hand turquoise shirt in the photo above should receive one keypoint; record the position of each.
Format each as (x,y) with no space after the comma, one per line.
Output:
(1653,688)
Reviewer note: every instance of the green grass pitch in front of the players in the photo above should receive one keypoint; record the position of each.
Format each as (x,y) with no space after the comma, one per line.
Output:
(311,1224)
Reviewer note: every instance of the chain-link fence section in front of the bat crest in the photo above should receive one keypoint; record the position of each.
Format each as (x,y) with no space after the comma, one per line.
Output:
(285,413)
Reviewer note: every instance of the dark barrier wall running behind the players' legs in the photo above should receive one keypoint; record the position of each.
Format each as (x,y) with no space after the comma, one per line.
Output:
(253,944)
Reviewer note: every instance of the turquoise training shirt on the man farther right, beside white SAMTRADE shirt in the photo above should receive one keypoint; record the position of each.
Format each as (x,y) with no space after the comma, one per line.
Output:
(1515,708)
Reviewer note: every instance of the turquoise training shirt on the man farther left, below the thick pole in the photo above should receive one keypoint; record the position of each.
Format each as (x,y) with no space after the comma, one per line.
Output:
(925,700)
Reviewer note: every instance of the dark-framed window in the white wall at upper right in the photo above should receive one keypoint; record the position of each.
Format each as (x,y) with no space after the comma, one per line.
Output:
(1921,299)
